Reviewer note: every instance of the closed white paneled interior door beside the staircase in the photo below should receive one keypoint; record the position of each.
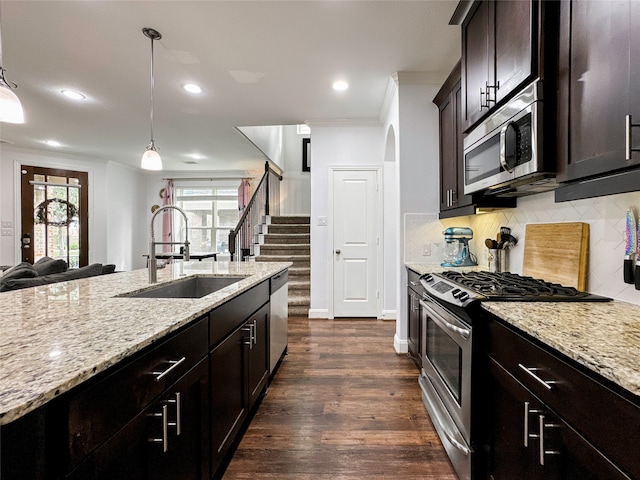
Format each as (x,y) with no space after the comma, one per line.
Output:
(355,242)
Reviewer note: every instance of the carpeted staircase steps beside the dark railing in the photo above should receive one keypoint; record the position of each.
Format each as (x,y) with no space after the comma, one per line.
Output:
(287,239)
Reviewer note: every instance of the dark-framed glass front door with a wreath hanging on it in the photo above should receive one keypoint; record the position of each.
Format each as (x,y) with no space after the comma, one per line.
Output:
(54,215)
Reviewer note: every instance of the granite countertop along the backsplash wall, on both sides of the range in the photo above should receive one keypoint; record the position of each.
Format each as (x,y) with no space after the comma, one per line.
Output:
(603,337)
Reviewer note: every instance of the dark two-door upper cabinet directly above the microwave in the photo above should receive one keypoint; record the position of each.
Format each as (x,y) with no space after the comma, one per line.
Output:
(502,50)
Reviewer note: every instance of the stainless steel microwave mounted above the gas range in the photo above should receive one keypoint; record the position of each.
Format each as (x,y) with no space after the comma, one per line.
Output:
(504,155)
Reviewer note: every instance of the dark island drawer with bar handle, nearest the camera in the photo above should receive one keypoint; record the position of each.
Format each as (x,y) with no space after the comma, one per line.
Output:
(98,411)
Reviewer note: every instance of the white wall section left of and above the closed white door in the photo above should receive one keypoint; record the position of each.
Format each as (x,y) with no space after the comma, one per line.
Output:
(334,145)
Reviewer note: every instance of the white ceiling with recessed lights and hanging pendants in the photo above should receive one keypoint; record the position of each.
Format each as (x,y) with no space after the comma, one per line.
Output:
(259,63)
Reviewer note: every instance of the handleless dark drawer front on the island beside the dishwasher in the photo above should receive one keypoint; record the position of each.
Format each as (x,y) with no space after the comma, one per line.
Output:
(230,315)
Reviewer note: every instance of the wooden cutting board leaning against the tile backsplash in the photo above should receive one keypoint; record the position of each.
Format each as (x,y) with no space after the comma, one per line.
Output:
(557,252)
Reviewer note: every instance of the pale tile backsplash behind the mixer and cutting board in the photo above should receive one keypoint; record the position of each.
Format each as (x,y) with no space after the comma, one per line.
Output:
(605,216)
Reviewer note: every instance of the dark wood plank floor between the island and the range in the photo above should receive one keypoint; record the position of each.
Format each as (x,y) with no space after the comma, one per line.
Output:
(343,405)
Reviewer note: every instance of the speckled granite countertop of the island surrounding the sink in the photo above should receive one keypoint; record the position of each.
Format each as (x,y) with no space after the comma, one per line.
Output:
(55,337)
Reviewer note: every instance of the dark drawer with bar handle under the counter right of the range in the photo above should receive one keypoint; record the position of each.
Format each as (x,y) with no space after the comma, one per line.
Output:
(582,400)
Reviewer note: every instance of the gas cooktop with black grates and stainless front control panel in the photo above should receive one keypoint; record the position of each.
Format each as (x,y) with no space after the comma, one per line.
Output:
(464,288)
